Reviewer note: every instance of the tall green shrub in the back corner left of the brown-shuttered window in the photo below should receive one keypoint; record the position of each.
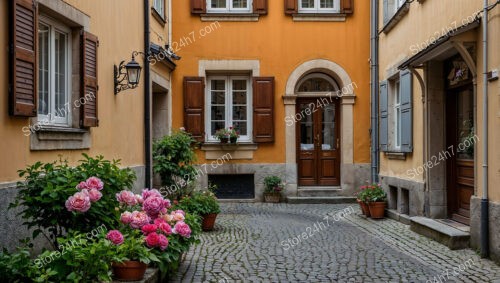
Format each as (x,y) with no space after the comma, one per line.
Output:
(173,157)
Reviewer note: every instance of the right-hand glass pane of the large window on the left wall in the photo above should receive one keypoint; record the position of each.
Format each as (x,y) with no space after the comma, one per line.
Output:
(60,74)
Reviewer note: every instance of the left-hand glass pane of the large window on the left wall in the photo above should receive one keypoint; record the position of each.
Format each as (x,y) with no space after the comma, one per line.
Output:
(43,69)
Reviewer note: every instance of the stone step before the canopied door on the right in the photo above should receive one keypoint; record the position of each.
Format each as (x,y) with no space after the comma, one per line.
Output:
(451,237)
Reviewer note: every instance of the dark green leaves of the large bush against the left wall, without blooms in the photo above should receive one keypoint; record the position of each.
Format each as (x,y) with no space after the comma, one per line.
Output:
(47,186)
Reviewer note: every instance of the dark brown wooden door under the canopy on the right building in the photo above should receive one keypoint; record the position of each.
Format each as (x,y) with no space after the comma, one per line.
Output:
(461,142)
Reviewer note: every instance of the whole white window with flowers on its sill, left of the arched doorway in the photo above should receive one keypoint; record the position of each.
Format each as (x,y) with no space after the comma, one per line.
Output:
(229,103)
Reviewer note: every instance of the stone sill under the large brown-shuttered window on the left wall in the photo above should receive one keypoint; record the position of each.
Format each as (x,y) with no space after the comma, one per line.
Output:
(56,138)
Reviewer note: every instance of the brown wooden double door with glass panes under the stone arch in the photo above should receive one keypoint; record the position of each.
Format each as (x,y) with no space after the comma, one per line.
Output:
(318,142)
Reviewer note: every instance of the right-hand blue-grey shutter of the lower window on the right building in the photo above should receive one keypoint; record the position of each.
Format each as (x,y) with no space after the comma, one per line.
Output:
(405,83)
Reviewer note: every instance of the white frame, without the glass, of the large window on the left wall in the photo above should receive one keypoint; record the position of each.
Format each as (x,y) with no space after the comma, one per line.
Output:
(51,119)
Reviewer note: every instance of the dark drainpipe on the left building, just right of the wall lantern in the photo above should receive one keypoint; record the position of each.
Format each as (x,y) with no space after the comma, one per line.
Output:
(147,97)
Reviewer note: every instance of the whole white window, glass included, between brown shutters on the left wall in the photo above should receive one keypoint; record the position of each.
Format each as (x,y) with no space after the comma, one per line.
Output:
(54,72)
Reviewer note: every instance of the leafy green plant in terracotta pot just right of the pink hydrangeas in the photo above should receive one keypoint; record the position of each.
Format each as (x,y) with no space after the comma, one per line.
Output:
(204,204)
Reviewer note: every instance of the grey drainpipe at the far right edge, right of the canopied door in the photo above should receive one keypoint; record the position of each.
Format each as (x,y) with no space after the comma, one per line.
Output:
(484,200)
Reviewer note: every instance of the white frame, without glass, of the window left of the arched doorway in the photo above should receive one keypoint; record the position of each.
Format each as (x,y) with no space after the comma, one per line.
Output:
(228,106)
